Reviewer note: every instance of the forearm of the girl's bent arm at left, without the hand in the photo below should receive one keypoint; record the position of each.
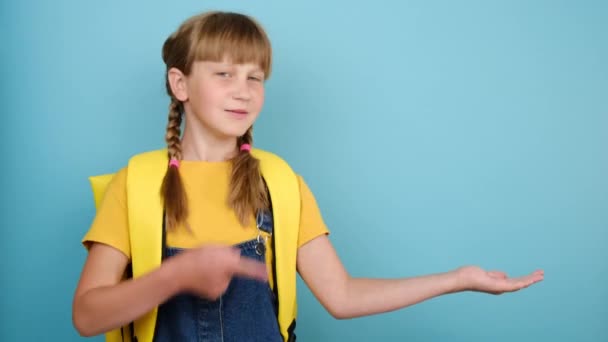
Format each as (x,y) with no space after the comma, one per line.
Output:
(105,308)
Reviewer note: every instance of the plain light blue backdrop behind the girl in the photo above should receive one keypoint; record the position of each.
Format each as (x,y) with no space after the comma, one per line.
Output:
(433,134)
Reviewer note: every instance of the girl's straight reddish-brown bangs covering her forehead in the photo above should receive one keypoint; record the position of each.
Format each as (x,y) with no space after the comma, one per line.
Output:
(234,37)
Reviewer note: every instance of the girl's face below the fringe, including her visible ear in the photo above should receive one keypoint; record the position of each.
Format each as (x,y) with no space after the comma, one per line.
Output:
(223,99)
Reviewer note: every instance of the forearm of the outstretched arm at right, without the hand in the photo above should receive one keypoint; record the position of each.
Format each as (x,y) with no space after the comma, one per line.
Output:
(362,296)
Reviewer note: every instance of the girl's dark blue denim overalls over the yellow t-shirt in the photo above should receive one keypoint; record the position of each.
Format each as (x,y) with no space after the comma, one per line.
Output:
(245,312)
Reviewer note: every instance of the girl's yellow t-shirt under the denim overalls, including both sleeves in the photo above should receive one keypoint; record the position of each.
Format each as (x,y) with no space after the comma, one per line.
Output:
(210,218)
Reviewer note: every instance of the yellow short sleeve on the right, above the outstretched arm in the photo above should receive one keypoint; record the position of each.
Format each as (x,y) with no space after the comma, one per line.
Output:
(311,221)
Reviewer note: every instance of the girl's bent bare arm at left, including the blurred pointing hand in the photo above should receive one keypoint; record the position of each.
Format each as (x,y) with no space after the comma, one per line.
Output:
(103,302)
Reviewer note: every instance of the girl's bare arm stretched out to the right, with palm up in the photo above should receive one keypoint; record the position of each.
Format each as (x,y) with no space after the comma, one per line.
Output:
(346,297)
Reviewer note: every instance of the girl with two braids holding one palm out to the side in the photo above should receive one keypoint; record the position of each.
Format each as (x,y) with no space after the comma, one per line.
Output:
(223,218)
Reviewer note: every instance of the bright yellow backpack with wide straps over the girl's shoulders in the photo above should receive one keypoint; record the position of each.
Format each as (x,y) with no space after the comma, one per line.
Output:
(145,210)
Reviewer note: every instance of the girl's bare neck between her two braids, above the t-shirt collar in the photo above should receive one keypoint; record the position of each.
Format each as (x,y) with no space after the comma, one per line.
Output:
(204,146)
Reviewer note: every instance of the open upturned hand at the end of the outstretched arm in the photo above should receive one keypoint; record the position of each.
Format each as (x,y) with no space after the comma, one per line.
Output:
(495,282)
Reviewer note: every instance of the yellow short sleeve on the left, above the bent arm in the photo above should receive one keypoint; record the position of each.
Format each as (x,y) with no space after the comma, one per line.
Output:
(110,225)
